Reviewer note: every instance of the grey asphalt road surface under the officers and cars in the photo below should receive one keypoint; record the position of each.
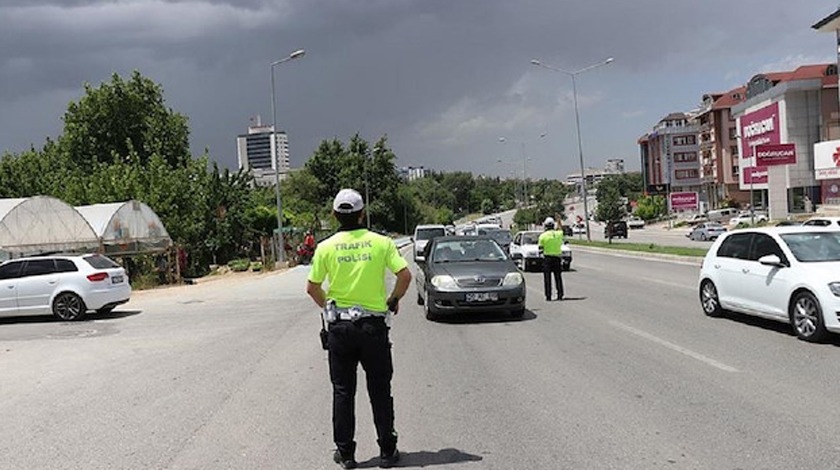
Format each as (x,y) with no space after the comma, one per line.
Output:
(626,374)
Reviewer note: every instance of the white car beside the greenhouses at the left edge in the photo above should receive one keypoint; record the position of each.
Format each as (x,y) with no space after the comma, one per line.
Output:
(68,286)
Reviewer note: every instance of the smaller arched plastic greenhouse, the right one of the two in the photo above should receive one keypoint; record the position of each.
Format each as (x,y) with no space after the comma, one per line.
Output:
(126,228)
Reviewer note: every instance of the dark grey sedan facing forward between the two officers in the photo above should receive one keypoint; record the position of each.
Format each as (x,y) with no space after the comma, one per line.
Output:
(469,274)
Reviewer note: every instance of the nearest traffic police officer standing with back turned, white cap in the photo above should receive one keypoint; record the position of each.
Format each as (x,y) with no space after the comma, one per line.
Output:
(357,312)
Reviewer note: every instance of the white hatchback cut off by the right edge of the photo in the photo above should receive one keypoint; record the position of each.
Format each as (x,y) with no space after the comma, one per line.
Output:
(789,273)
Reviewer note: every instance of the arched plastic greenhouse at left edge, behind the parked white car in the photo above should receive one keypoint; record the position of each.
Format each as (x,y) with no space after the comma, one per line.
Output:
(42,224)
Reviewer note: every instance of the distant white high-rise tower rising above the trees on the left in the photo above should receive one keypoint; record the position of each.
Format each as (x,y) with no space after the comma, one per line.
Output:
(256,153)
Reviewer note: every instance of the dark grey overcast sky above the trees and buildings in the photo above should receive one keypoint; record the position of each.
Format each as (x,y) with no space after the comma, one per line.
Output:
(444,79)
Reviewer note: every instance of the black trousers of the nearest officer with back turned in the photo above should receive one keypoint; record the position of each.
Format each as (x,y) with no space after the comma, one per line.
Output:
(364,341)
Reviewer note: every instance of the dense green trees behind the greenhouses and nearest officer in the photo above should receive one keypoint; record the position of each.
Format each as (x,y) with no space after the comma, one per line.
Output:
(120,141)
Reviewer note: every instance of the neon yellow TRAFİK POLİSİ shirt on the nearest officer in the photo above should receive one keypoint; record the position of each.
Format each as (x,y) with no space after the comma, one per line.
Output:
(354,263)
